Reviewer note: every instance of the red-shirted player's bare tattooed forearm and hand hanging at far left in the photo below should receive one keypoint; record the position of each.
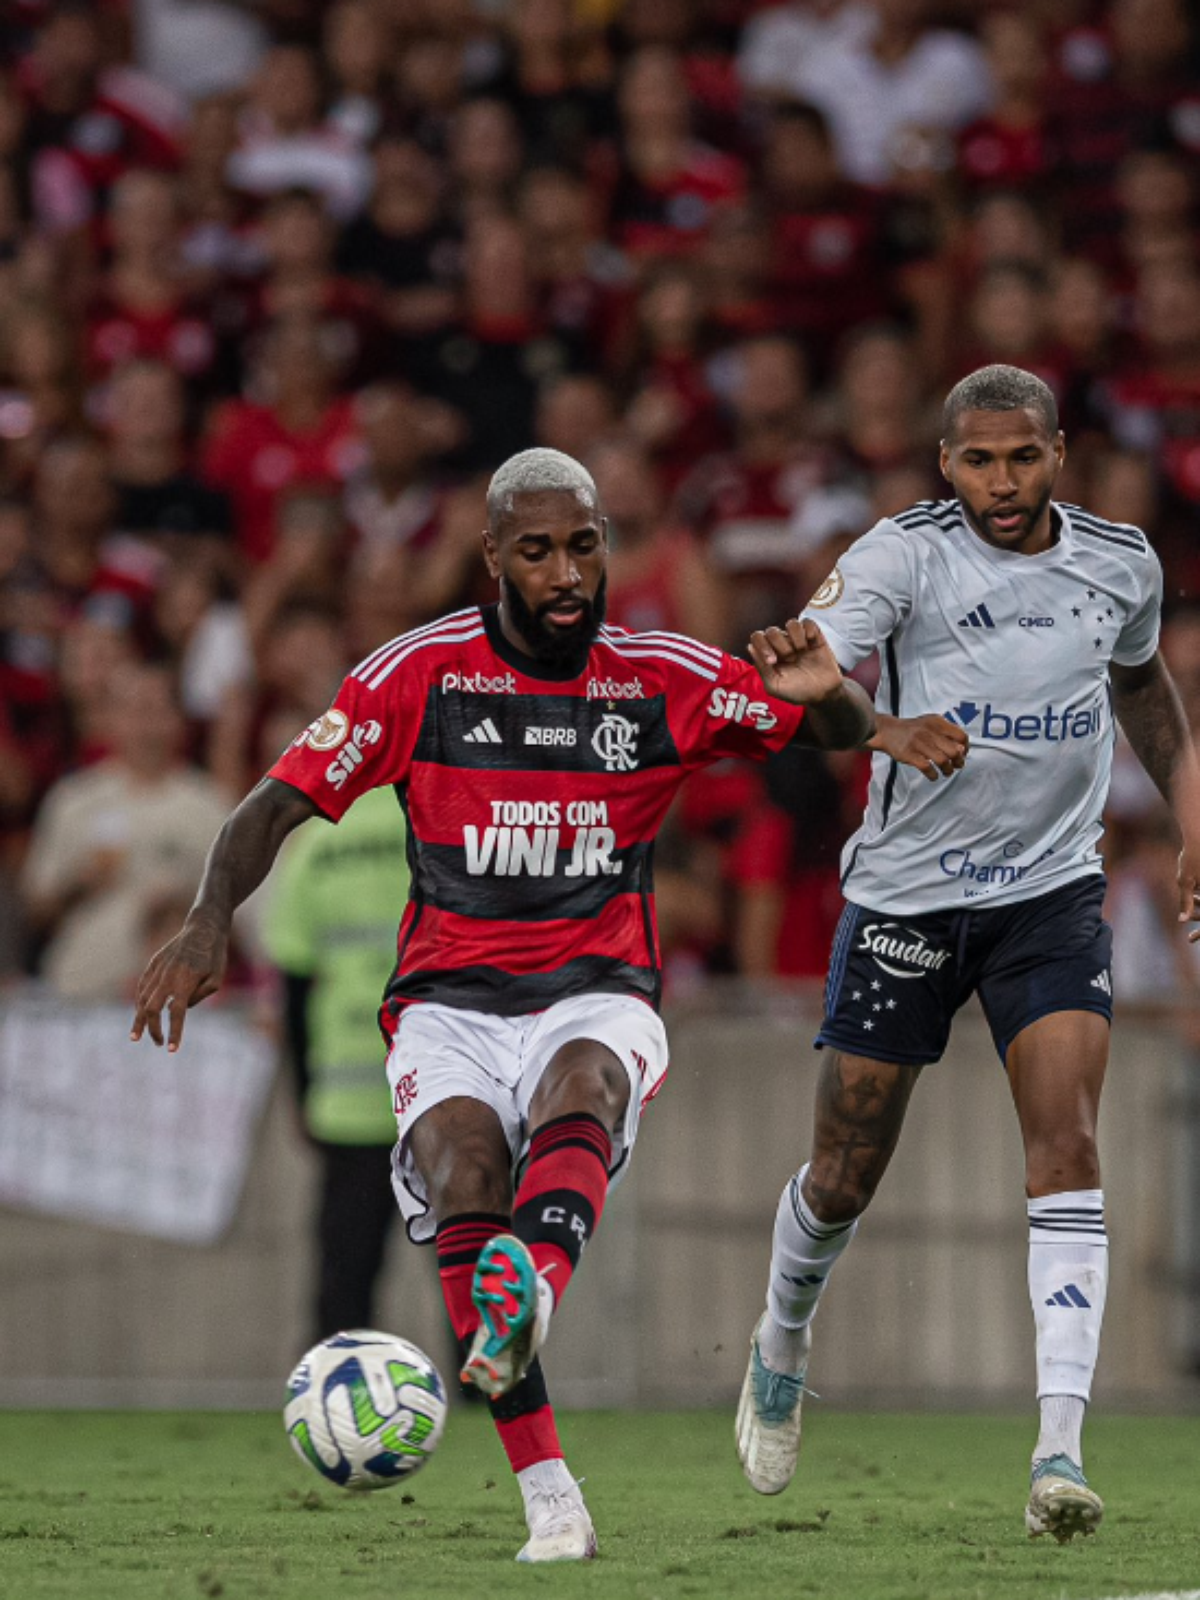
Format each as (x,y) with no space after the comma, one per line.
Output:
(193,966)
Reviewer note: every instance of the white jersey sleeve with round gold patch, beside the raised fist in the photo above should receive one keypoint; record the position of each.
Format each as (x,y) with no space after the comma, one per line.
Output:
(868,594)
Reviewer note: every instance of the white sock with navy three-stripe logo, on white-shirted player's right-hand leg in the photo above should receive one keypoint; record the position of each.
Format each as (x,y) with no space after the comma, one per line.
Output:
(1068,1287)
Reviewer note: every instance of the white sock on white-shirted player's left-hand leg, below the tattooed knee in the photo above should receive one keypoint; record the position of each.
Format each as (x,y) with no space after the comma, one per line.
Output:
(802,1257)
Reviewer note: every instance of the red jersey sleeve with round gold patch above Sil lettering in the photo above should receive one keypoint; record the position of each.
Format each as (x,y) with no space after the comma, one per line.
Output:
(364,742)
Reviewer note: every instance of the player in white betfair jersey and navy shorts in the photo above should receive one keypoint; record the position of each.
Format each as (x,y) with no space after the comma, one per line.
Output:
(1025,626)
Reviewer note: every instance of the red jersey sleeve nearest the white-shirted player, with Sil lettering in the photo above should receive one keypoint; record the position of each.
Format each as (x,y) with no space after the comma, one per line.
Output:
(730,716)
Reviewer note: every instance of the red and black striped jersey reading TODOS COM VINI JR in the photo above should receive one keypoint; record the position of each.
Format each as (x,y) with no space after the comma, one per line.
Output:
(532,798)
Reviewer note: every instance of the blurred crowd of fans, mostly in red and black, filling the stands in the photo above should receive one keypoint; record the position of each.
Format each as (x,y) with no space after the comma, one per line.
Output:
(282,282)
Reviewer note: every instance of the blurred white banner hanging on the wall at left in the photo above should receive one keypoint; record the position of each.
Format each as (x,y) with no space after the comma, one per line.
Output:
(124,1135)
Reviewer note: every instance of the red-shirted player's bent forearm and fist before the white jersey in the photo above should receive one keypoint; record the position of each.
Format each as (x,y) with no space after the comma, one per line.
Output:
(798,665)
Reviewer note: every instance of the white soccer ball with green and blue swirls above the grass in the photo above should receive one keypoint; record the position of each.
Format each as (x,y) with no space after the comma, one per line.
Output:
(366,1409)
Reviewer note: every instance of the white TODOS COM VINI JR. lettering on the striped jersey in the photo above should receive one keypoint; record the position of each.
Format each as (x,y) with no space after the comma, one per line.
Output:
(524,841)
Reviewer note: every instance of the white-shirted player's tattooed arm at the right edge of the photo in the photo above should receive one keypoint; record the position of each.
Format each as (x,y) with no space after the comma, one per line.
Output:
(1150,711)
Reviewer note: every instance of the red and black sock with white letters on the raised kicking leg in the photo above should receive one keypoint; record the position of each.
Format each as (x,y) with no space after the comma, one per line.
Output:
(562,1194)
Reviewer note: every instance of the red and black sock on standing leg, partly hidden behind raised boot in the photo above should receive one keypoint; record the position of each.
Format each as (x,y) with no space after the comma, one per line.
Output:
(524,1418)
